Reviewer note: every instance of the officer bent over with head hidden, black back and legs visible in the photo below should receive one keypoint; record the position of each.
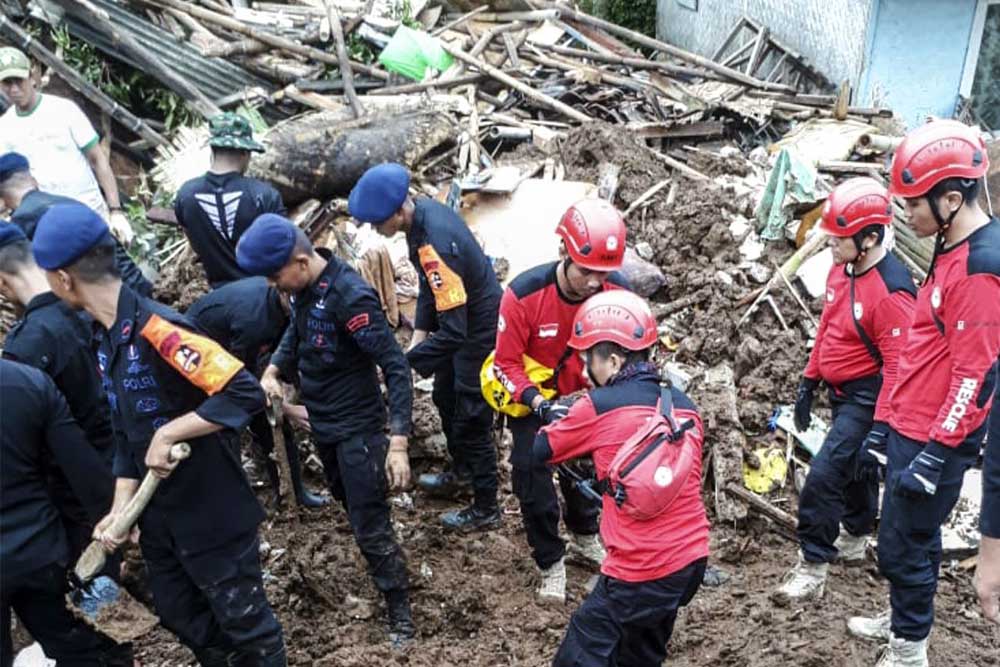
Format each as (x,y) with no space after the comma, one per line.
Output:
(248,317)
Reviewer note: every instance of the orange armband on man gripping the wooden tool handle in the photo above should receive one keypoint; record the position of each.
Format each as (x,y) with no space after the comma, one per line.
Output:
(201,360)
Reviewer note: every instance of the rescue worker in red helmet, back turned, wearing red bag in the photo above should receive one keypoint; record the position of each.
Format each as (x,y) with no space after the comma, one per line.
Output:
(654,565)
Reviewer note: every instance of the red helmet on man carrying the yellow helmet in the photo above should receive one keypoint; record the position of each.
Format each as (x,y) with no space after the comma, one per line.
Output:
(594,234)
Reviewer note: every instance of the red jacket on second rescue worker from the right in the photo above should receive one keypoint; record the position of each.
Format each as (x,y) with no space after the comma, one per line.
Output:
(880,300)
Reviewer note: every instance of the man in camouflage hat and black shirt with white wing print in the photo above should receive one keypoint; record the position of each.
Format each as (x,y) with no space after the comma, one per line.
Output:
(215,209)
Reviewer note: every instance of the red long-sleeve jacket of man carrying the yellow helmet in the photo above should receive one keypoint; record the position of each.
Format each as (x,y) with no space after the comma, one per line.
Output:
(536,320)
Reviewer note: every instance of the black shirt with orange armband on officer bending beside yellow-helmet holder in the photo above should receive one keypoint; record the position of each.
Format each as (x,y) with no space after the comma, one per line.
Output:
(459,294)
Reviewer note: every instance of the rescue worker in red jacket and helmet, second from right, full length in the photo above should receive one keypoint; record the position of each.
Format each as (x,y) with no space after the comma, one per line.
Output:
(869,304)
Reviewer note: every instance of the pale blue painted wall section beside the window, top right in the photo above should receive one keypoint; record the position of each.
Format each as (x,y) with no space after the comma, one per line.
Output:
(916,55)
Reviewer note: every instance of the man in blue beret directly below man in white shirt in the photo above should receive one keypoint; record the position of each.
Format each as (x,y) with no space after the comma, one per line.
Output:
(19,192)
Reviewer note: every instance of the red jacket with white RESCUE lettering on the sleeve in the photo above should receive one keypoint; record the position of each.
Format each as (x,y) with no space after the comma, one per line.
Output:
(947,369)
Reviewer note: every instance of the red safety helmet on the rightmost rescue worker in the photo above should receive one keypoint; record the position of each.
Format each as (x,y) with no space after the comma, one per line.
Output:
(933,152)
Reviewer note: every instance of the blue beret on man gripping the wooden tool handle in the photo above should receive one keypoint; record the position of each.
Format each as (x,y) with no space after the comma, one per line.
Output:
(65,233)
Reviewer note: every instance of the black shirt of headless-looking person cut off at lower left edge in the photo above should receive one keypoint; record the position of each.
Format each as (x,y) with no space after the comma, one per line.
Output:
(38,432)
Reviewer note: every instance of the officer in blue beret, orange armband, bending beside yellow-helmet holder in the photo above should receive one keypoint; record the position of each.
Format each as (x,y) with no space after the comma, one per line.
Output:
(455,329)
